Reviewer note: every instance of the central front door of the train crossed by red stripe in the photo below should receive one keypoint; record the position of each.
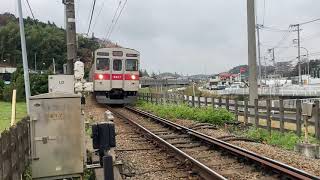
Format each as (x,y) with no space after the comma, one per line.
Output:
(117,74)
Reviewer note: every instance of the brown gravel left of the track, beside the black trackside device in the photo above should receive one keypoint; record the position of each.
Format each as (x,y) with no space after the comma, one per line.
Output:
(141,159)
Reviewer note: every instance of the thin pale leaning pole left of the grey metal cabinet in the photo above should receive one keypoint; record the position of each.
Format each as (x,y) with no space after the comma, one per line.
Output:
(24,57)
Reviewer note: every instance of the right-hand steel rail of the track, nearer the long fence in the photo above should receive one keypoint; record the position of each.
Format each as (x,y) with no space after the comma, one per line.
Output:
(276,166)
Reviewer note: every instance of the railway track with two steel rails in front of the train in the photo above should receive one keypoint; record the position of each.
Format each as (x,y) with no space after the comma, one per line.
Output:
(209,157)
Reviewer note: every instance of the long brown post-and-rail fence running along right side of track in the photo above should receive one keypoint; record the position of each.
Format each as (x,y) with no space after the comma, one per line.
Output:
(261,110)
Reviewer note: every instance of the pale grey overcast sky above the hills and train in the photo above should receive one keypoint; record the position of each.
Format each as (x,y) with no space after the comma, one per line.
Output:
(187,36)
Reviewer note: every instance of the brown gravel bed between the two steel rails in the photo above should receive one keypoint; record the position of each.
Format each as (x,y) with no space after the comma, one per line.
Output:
(228,166)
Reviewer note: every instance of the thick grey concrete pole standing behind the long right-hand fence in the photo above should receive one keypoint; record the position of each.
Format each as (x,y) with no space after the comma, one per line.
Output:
(252,56)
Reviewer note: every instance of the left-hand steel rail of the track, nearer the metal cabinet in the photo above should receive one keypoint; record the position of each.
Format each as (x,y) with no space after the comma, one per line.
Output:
(204,171)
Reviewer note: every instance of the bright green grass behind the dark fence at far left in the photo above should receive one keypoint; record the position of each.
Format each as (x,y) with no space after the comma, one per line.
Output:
(5,113)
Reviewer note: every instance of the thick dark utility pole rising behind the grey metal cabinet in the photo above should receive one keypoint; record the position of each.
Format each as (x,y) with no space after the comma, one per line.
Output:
(71,34)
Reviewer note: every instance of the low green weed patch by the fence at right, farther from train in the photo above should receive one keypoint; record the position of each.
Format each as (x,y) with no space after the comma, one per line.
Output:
(286,140)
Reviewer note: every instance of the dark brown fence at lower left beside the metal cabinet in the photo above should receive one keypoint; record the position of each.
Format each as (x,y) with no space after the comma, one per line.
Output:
(14,151)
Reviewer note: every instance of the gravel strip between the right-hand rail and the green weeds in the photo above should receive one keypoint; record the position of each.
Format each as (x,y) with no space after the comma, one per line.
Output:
(285,156)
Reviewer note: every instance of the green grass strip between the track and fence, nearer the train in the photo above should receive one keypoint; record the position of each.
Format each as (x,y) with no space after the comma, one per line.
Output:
(173,111)
